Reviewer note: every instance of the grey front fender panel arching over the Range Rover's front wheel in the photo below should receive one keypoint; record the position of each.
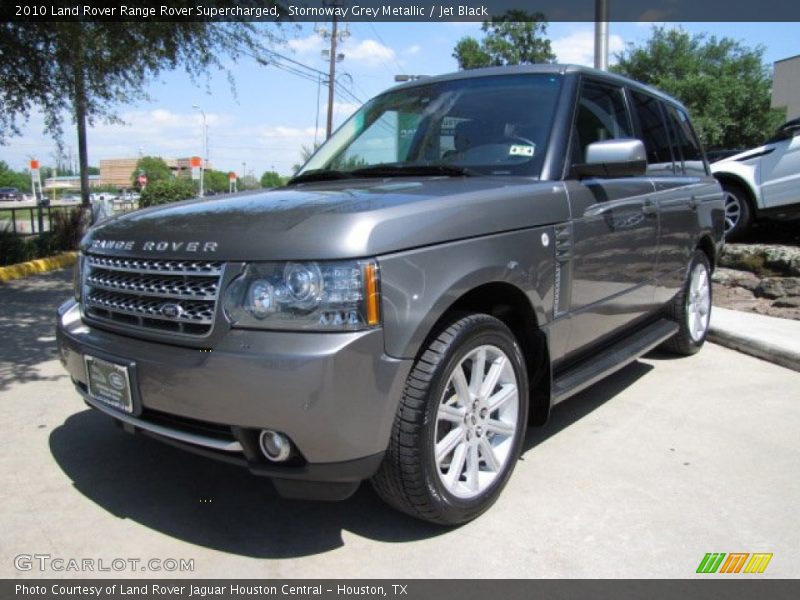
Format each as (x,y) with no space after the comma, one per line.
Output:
(418,286)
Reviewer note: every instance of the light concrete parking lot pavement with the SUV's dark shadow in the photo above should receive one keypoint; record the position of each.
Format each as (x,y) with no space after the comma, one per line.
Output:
(638,477)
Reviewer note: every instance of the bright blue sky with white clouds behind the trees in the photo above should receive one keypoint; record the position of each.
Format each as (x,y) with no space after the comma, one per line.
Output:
(263,123)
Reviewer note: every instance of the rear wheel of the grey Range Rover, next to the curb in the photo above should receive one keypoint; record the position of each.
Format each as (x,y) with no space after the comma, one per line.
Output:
(691,308)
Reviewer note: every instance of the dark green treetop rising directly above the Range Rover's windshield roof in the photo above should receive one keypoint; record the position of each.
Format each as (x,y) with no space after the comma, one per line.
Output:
(514,38)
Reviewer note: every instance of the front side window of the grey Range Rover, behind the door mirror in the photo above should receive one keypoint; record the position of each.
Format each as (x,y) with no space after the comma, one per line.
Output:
(601,116)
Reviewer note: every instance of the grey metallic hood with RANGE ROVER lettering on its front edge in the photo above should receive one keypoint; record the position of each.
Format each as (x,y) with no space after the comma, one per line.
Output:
(332,220)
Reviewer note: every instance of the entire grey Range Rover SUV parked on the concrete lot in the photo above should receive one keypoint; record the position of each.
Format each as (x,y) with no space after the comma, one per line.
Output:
(465,252)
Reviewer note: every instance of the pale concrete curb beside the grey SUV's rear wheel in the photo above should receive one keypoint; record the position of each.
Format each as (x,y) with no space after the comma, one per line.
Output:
(736,330)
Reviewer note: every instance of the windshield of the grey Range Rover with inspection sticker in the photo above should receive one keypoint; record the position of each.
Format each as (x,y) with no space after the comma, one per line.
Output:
(495,125)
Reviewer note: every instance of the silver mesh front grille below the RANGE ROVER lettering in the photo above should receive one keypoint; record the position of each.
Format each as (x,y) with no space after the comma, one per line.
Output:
(154,295)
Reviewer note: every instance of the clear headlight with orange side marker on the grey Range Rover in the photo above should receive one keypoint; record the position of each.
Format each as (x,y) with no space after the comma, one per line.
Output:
(324,296)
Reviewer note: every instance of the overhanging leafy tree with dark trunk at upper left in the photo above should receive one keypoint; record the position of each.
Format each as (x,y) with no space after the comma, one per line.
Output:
(87,69)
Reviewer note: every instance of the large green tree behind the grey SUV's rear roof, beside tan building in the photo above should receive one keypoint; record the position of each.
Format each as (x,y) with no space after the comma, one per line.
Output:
(724,84)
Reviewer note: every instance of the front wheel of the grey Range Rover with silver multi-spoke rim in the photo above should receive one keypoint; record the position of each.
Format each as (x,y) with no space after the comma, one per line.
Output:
(478,446)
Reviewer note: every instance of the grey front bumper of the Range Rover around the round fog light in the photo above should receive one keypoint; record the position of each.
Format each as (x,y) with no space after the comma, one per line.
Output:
(333,394)
